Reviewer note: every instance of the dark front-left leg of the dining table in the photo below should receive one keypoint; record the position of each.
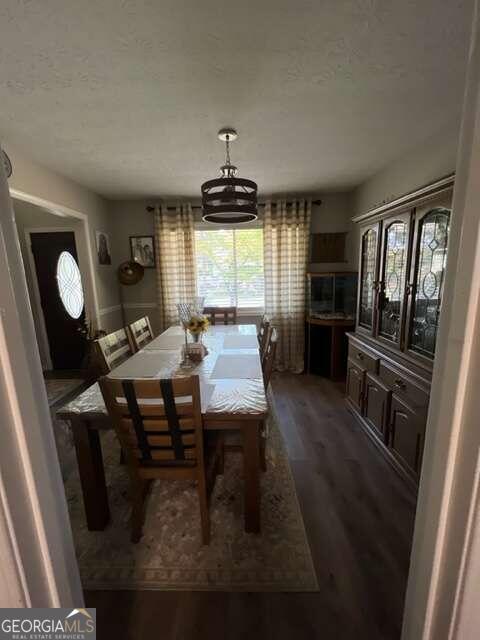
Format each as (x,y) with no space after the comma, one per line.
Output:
(92,474)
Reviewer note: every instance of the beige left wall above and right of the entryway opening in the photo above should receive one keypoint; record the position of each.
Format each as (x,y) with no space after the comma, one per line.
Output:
(33,180)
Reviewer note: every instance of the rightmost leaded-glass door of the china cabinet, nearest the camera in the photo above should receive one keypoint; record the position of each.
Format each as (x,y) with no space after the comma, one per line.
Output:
(431,241)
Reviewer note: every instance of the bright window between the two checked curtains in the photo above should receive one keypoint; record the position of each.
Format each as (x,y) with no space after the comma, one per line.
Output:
(230,267)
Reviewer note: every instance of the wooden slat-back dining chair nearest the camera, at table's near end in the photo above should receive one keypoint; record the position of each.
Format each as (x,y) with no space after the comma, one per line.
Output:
(159,426)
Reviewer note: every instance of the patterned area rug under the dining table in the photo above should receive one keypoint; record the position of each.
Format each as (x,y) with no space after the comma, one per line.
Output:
(170,555)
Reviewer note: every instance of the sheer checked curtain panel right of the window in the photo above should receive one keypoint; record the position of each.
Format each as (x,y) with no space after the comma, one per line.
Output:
(286,242)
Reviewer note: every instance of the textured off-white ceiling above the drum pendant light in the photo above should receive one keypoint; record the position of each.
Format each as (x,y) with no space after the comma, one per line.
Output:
(126,97)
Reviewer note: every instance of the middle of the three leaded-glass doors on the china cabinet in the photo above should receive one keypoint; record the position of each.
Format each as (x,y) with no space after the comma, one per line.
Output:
(393,278)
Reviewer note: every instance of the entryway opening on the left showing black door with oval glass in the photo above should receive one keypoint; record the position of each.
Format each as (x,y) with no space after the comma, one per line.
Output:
(62,292)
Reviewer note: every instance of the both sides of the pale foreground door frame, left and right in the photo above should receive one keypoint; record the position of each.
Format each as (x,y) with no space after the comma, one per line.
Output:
(447,541)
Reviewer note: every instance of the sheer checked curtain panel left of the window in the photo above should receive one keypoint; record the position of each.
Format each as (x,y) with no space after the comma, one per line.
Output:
(175,249)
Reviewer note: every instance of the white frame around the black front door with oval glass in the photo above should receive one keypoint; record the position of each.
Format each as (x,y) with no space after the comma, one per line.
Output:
(36,302)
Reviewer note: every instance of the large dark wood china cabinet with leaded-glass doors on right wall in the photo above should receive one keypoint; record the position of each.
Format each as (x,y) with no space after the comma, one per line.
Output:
(403,254)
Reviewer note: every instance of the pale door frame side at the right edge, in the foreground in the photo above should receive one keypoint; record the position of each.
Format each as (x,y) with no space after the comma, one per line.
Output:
(442,591)
